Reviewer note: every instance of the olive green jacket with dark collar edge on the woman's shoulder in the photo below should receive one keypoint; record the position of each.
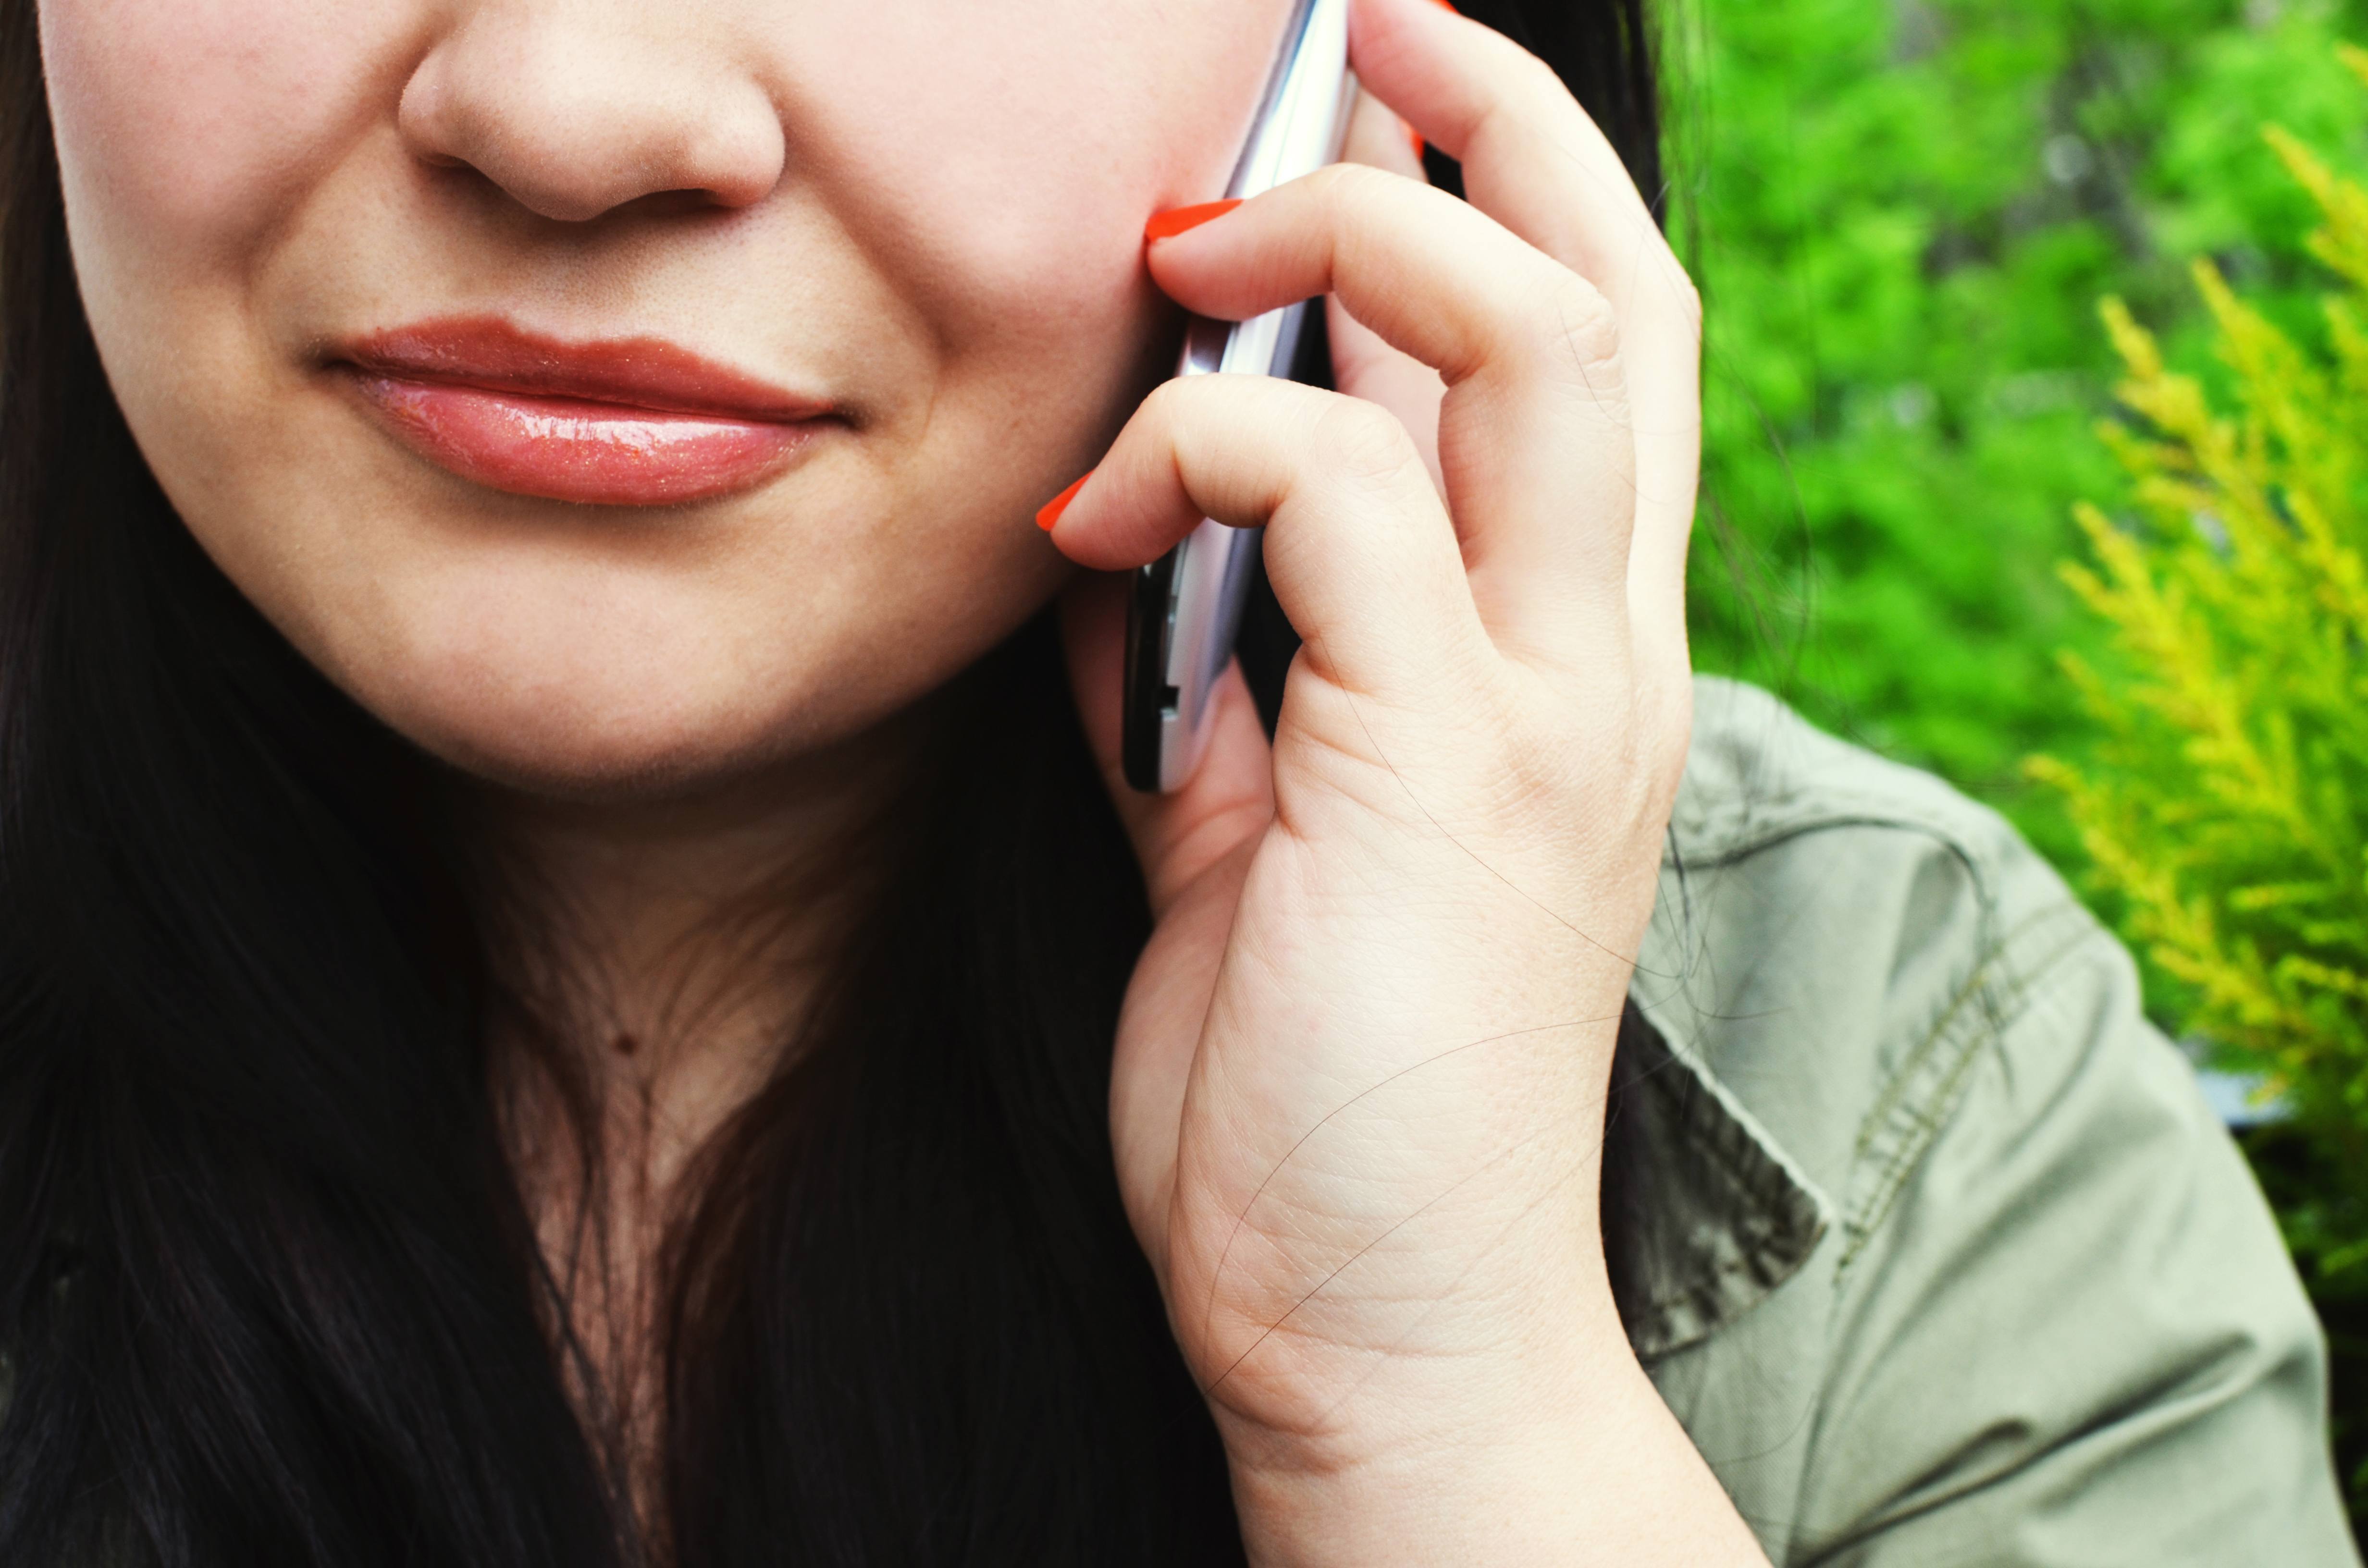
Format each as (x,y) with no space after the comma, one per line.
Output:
(1943,1259)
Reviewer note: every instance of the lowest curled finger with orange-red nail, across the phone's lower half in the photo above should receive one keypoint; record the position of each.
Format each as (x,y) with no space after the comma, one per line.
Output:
(1358,546)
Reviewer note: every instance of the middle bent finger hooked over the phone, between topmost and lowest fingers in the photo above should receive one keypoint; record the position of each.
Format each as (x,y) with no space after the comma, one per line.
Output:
(1536,439)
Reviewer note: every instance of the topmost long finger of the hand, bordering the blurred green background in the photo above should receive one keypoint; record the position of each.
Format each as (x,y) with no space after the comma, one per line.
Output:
(1536,162)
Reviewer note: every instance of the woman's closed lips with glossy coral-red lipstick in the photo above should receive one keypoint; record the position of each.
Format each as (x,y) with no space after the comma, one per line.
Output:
(617,423)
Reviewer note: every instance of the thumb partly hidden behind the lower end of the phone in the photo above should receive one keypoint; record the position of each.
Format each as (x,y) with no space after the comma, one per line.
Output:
(1228,799)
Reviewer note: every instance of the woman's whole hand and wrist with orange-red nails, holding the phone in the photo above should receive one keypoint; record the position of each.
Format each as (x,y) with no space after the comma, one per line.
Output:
(1363,1065)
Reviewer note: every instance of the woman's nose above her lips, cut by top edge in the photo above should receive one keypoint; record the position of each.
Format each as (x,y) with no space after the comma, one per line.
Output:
(577,108)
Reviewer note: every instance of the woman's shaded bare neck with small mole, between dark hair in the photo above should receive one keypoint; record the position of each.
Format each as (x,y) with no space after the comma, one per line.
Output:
(662,958)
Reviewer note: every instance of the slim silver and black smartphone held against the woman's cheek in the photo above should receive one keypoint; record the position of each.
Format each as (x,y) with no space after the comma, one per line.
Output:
(1188,605)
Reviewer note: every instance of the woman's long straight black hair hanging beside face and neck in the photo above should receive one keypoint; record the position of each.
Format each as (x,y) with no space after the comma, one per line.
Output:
(269,1290)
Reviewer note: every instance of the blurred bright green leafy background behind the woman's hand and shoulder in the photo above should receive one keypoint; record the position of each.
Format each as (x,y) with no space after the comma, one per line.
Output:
(1903,217)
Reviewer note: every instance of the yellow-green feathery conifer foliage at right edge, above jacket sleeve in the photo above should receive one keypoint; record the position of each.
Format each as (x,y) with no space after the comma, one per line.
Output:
(2227,799)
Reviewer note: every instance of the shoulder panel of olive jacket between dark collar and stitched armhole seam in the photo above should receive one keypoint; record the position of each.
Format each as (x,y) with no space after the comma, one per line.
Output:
(1839,939)
